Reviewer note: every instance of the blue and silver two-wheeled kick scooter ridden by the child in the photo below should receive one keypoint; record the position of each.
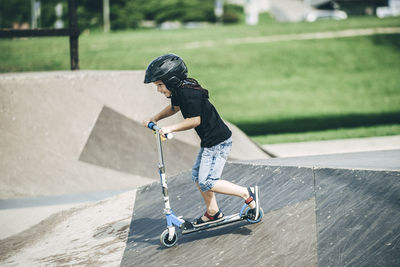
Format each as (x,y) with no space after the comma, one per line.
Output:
(169,236)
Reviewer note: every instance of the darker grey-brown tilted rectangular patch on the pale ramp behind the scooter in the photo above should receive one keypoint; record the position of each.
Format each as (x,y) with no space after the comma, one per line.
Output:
(119,143)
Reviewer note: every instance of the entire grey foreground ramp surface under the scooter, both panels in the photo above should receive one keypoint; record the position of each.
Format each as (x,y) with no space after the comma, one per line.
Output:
(313,216)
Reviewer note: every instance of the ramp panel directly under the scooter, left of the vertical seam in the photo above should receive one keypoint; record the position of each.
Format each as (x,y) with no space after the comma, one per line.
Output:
(281,238)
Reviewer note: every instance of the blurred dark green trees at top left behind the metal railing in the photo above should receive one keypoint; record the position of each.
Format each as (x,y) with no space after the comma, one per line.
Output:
(124,14)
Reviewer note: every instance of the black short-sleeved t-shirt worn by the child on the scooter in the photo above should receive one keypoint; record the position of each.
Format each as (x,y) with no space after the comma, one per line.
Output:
(194,102)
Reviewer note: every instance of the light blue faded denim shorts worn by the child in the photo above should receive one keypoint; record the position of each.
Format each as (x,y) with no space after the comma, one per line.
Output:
(209,164)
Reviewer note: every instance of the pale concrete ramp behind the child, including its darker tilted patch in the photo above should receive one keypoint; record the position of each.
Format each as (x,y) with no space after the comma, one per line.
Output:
(75,132)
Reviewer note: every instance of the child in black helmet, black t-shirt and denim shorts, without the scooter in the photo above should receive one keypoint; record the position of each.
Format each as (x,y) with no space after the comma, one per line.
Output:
(169,74)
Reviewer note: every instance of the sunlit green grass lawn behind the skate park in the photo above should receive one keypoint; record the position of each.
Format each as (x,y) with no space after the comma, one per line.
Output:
(274,90)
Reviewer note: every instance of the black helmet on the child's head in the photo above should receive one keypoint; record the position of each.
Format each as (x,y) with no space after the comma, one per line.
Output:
(168,68)
